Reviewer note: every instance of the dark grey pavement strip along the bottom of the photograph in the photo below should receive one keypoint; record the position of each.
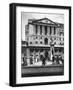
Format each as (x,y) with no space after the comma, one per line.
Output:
(50,70)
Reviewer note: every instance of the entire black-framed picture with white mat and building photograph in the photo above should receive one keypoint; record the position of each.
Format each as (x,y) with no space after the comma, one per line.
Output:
(40,44)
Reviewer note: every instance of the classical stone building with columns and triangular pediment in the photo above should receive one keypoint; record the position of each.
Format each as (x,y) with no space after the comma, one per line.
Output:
(43,36)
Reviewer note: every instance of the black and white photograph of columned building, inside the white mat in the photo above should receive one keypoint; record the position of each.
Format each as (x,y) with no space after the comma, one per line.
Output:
(42,44)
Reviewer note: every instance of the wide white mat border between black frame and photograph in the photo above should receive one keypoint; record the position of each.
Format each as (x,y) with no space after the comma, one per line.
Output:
(19,79)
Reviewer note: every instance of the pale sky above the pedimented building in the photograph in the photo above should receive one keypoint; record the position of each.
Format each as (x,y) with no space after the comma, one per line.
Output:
(27,15)
